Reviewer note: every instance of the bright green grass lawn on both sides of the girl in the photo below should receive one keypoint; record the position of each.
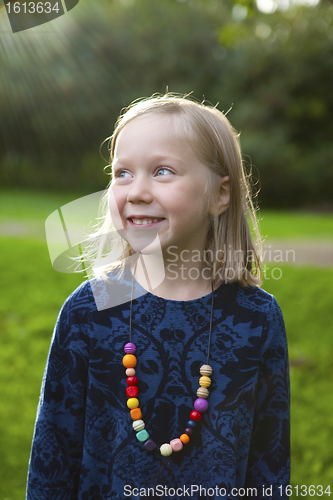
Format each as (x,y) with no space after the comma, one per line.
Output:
(32,294)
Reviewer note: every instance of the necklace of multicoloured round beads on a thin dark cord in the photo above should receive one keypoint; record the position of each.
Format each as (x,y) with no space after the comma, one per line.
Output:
(132,392)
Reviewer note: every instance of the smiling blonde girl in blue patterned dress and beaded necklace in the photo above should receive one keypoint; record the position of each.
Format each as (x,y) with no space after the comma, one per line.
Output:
(182,390)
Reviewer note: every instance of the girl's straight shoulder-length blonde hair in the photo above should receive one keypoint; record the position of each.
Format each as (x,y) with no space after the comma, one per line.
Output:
(216,145)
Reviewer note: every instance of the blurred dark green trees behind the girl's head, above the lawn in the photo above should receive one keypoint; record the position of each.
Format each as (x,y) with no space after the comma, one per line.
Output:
(60,95)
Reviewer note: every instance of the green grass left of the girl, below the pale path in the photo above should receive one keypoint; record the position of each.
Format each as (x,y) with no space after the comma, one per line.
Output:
(32,295)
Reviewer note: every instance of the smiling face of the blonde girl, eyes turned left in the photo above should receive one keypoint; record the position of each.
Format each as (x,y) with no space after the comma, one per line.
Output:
(158,186)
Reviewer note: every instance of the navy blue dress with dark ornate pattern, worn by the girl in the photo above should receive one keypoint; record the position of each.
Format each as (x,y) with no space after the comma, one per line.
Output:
(84,446)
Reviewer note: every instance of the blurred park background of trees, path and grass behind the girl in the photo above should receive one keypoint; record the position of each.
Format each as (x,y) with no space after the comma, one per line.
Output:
(269,64)
